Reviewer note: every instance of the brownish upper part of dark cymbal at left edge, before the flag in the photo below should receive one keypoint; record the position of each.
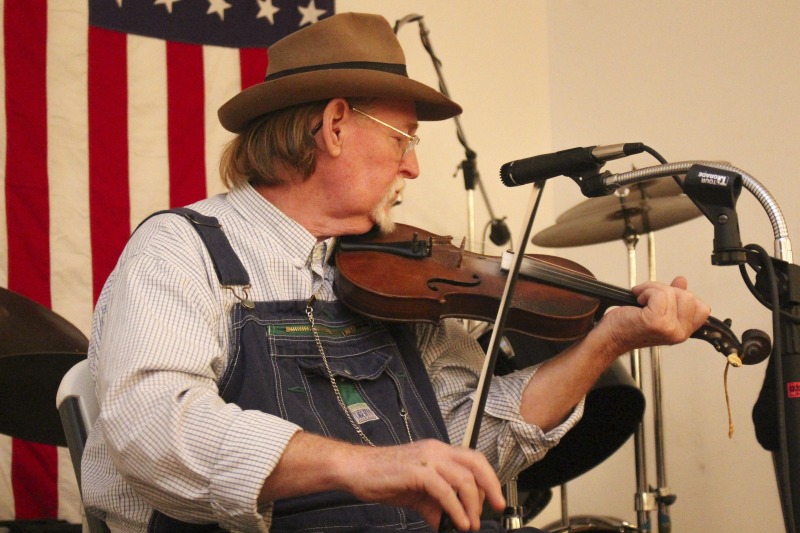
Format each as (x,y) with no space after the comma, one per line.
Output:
(28,327)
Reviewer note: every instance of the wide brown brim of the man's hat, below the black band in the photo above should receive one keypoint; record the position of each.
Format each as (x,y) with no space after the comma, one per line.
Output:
(307,87)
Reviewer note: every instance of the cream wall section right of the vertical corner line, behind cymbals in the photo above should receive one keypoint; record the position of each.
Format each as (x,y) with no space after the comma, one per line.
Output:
(694,80)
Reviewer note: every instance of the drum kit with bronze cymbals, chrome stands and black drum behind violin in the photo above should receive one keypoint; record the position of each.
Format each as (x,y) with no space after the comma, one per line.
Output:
(614,408)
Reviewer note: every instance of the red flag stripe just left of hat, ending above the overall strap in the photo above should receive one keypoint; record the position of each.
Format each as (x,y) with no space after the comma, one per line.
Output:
(186,123)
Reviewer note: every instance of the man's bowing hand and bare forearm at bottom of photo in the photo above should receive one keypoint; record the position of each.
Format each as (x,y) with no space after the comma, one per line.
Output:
(429,476)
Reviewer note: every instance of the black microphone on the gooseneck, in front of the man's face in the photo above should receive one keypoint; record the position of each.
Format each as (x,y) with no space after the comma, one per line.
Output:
(573,162)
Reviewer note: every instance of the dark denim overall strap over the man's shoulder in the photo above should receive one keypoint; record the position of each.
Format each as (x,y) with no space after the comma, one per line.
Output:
(227,265)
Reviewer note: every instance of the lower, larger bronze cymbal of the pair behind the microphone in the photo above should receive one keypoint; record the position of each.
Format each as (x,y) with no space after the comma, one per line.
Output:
(613,222)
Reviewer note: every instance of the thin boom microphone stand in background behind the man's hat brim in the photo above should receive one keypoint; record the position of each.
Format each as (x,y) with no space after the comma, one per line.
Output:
(500,234)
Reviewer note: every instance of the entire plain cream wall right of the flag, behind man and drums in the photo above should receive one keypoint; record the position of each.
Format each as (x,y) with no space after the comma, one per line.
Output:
(694,80)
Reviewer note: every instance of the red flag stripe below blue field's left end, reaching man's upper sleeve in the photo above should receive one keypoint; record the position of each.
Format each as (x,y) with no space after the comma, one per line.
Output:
(109,202)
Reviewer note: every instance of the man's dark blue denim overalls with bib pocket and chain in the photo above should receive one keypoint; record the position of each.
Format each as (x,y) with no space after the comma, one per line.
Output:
(276,367)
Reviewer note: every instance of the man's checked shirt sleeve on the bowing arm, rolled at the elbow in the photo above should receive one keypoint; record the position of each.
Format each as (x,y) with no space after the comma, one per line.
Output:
(158,349)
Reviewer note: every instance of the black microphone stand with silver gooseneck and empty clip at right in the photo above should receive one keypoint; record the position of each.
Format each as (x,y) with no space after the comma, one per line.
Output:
(777,287)
